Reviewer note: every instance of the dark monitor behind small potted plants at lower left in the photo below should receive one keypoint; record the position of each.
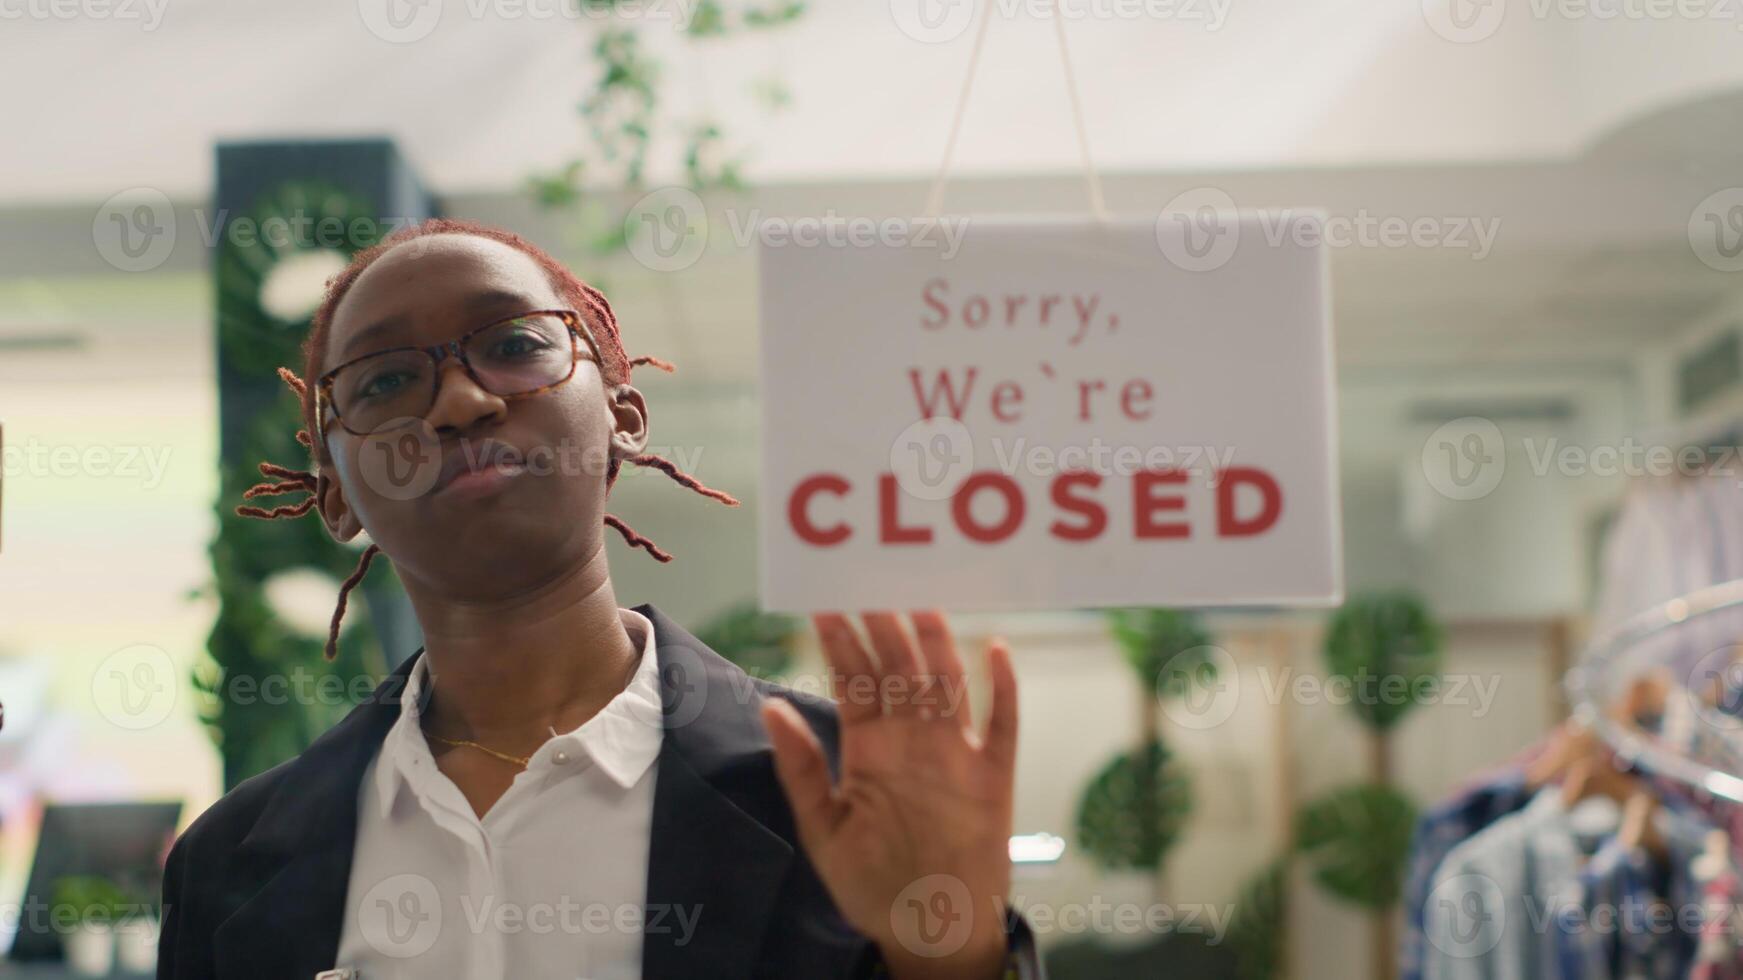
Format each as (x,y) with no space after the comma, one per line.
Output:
(123,843)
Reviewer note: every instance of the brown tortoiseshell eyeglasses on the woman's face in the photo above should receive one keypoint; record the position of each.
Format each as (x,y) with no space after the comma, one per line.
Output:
(517,357)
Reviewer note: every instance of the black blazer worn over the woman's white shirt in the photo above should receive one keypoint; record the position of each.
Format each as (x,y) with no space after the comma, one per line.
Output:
(255,888)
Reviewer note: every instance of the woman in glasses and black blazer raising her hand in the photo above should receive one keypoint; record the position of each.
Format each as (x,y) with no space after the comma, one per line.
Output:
(559,786)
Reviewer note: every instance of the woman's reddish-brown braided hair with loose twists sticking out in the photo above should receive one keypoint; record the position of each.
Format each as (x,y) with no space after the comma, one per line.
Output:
(614,367)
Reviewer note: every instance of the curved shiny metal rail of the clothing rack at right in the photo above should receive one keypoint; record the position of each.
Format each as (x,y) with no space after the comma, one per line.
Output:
(1585,688)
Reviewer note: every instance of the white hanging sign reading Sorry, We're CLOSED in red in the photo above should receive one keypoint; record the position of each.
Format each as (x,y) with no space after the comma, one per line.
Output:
(1021,414)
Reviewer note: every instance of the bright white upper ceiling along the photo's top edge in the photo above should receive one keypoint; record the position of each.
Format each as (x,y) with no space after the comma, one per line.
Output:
(140,95)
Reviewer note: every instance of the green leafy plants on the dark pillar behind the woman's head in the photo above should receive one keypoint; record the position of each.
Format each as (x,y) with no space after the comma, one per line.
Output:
(255,690)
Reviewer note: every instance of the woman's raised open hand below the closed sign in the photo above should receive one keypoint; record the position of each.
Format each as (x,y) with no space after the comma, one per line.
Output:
(914,838)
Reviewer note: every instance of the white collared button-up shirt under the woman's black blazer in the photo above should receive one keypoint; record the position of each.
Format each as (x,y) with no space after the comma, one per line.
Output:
(550,885)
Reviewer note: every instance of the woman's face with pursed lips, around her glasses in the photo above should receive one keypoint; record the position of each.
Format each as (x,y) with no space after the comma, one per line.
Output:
(485,496)
